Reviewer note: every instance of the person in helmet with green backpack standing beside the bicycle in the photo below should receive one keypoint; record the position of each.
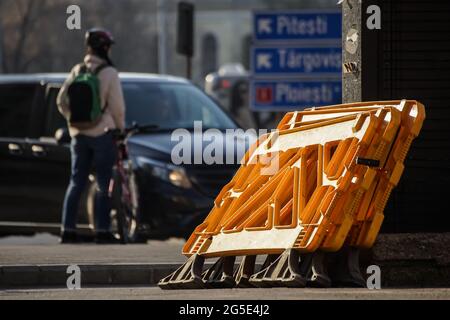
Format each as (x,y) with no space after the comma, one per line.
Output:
(91,100)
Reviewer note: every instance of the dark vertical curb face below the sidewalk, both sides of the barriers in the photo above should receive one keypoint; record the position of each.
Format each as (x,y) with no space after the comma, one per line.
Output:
(395,273)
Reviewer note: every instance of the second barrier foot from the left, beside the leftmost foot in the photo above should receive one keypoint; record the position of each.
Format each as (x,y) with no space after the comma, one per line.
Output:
(220,275)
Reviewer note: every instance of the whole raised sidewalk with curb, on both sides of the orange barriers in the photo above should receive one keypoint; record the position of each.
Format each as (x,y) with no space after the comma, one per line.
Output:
(415,260)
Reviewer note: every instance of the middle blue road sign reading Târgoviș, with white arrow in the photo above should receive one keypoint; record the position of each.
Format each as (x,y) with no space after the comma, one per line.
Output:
(277,60)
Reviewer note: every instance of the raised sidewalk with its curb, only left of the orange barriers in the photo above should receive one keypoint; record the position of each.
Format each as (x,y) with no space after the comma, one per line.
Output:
(38,265)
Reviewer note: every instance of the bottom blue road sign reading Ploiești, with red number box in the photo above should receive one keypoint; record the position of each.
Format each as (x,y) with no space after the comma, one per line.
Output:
(285,94)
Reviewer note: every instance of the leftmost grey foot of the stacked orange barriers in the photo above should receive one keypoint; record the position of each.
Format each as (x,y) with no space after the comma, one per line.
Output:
(188,276)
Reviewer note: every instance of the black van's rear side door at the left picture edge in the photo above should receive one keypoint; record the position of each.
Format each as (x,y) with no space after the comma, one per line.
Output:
(16,162)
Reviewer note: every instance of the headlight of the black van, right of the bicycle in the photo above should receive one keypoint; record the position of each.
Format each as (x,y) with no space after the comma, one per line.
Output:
(174,174)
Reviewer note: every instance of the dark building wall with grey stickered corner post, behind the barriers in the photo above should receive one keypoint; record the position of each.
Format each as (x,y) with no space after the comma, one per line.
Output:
(409,58)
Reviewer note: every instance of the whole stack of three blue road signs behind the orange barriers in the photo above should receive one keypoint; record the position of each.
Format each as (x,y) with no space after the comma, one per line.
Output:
(296,60)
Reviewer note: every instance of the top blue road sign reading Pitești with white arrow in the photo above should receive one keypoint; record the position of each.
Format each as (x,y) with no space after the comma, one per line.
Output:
(271,26)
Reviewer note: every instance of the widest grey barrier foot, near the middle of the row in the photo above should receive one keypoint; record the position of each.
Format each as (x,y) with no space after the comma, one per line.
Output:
(283,272)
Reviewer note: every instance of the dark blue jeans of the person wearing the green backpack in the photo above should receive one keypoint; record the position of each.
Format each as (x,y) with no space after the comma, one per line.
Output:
(85,150)
